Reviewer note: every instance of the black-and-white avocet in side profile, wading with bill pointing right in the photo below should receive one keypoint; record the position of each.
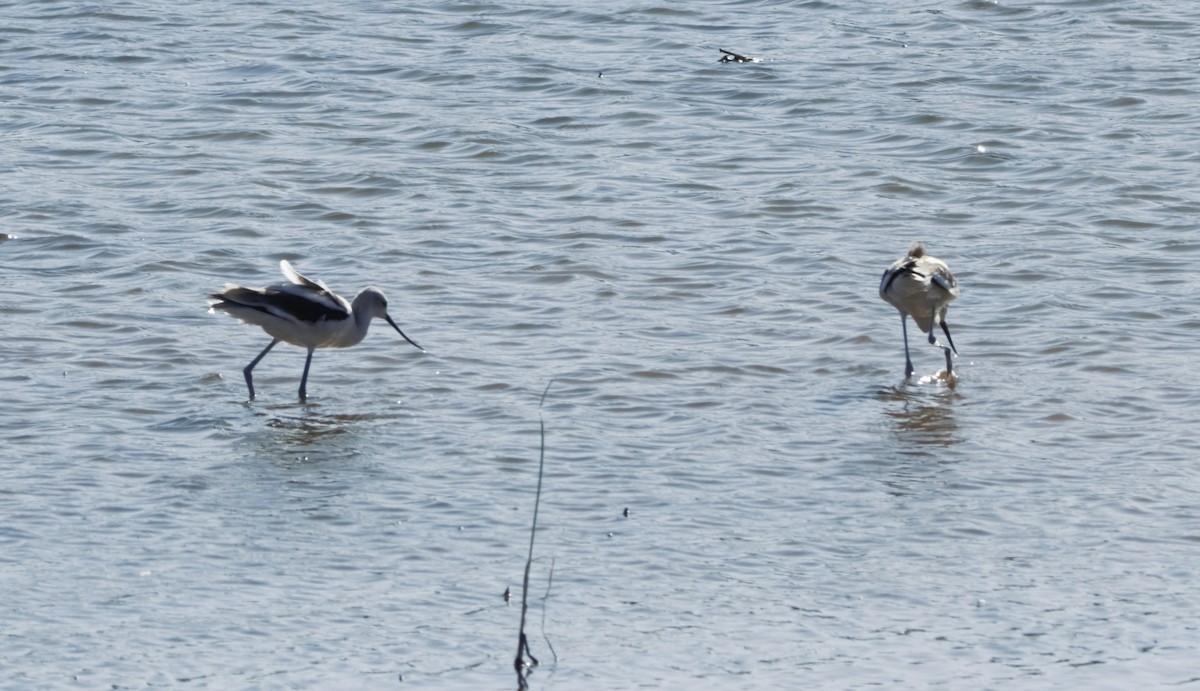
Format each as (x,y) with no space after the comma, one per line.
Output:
(305,314)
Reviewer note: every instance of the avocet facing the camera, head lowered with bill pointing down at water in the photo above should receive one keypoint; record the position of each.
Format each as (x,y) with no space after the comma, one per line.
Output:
(921,287)
